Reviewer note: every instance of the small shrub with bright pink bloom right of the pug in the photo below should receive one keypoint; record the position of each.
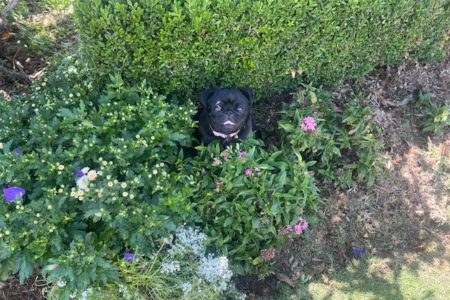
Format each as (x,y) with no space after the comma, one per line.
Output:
(341,147)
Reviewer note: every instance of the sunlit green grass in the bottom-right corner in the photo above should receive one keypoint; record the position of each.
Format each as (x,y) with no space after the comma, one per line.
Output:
(406,276)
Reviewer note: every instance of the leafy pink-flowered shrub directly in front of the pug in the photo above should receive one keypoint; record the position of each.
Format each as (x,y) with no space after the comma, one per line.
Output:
(246,195)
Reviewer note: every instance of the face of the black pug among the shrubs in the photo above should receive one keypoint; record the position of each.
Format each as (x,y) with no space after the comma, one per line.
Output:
(228,109)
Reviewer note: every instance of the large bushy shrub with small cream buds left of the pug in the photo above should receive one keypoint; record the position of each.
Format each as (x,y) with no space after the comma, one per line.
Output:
(88,173)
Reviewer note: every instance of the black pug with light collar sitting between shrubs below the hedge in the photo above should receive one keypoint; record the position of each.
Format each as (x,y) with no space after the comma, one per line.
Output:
(225,115)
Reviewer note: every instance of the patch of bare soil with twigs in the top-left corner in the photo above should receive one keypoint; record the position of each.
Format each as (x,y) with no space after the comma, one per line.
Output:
(20,65)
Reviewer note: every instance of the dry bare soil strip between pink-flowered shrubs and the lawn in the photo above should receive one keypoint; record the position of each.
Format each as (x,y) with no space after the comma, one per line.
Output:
(409,206)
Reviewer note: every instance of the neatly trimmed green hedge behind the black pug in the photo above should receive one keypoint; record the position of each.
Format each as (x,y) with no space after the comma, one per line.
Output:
(183,46)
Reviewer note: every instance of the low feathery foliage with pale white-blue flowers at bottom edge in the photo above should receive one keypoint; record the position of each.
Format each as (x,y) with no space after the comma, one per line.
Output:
(179,268)
